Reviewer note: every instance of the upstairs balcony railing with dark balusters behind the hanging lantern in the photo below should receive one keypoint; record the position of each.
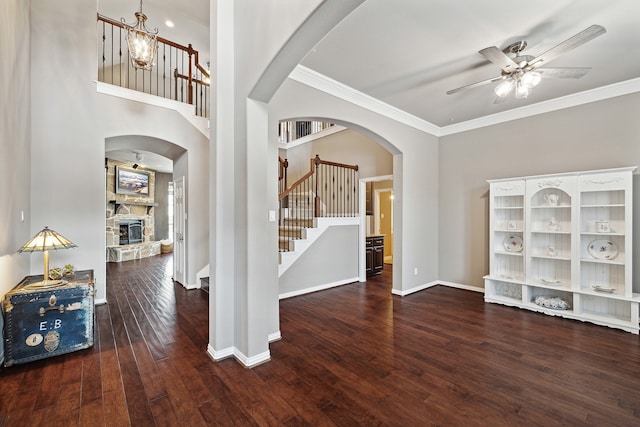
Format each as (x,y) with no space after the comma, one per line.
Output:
(177,74)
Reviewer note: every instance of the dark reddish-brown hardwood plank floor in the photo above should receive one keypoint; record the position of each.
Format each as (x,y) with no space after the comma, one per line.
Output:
(353,355)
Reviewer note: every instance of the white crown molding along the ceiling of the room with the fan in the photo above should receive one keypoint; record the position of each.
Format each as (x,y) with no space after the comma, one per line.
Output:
(325,84)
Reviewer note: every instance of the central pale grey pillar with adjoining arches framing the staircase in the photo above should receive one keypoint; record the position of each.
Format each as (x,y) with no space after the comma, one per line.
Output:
(244,303)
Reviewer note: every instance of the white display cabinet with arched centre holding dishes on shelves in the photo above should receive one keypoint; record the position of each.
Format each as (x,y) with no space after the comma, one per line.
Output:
(562,245)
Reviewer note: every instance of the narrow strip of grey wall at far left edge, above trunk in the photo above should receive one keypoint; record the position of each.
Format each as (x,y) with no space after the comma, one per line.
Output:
(15,136)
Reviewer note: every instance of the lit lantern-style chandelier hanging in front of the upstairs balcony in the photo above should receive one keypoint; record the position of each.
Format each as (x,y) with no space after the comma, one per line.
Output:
(142,42)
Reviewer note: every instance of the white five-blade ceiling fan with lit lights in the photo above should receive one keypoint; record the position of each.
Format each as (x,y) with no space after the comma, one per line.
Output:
(522,72)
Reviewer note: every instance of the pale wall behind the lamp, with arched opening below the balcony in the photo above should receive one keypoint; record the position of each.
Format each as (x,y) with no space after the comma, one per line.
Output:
(69,125)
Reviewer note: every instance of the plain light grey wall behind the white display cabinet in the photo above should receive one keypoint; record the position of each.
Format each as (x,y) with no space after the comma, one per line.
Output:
(599,135)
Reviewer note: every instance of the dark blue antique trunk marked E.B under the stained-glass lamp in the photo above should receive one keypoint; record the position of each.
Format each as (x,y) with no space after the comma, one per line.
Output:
(45,320)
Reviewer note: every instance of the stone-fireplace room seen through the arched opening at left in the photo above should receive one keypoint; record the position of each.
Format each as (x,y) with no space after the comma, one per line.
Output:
(151,213)
